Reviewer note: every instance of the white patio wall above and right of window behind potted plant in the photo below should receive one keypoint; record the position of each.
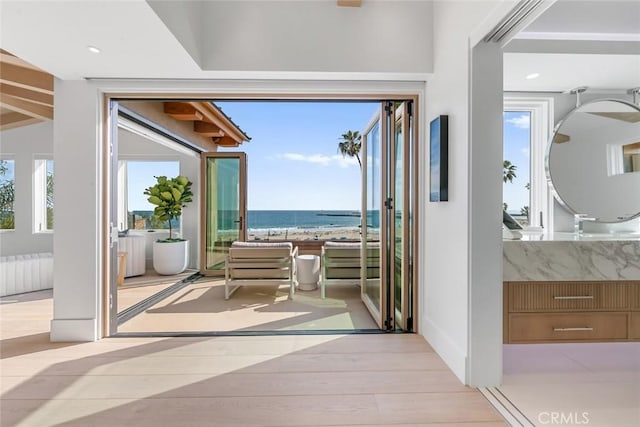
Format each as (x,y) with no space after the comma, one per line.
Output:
(132,146)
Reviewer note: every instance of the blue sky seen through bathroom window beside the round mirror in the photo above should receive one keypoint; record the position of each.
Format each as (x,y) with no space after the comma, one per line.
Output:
(516,150)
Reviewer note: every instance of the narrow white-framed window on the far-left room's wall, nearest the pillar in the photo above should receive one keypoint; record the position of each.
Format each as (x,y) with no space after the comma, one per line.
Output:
(43,195)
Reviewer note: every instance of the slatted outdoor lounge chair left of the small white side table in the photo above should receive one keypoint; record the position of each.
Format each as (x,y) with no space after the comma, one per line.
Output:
(257,263)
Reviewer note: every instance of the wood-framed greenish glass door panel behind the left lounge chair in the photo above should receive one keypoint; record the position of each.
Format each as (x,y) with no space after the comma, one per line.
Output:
(223,207)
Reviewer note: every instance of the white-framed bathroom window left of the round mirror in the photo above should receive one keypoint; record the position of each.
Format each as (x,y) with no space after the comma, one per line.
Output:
(527,128)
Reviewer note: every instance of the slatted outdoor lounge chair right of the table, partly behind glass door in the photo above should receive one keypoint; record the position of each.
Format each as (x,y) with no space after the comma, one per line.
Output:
(341,264)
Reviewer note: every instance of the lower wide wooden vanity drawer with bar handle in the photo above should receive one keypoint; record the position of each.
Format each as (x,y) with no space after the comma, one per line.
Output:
(567,327)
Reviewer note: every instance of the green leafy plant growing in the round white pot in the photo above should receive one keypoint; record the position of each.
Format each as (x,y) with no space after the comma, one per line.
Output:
(169,195)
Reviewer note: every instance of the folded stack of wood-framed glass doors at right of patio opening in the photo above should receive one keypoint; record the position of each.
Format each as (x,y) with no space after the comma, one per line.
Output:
(389,203)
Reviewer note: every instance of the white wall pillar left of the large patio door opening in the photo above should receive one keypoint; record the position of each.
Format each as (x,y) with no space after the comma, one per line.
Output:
(78,241)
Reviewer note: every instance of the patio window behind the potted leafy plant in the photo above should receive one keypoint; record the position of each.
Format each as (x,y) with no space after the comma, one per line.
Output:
(134,212)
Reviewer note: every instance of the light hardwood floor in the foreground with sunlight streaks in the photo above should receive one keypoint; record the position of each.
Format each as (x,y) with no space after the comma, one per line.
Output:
(302,380)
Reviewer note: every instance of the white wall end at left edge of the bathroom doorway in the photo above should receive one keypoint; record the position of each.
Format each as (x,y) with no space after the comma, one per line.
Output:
(484,360)
